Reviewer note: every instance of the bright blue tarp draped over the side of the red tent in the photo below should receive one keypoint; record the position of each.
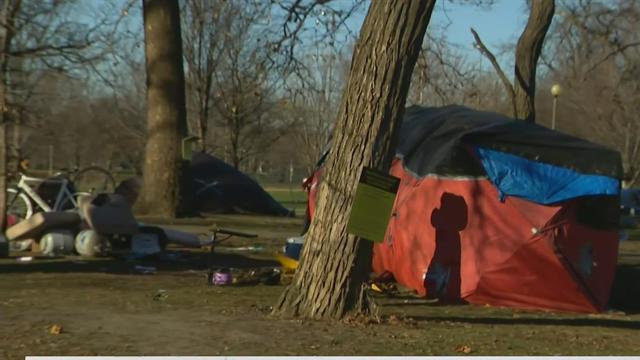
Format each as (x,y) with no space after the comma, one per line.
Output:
(539,182)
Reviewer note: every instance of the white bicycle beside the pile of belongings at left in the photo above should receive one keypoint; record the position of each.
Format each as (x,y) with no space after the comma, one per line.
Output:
(24,199)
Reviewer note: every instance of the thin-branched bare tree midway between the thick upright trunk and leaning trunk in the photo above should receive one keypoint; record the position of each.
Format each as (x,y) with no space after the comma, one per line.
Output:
(246,82)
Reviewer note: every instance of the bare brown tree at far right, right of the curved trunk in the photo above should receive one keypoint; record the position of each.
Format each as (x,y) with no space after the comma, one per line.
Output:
(594,52)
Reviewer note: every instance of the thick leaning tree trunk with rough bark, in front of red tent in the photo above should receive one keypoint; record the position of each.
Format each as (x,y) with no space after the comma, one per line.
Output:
(334,264)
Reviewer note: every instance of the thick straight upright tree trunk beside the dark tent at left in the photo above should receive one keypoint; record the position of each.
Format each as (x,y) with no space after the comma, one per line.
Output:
(166,111)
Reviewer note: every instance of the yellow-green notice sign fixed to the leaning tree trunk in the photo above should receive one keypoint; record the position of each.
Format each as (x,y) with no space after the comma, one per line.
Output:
(373,204)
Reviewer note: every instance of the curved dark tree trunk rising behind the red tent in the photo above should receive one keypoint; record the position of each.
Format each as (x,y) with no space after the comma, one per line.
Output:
(527,54)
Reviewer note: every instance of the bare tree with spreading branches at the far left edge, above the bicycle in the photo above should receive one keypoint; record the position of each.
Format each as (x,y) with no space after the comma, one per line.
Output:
(39,36)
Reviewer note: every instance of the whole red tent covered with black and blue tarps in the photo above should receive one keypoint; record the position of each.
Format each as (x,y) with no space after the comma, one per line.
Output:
(504,213)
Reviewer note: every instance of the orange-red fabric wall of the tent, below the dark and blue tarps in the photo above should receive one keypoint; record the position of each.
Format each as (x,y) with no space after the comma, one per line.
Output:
(498,253)
